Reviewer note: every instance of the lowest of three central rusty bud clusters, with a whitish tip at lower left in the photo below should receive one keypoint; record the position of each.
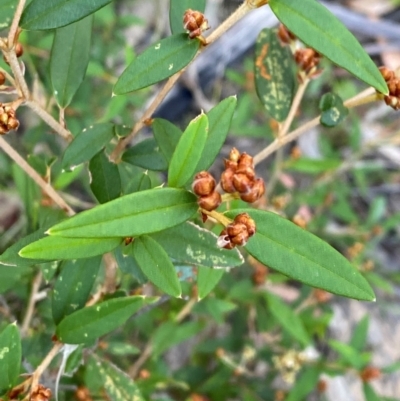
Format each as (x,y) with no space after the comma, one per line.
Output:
(238,232)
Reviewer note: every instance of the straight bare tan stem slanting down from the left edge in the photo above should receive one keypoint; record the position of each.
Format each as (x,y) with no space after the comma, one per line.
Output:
(46,187)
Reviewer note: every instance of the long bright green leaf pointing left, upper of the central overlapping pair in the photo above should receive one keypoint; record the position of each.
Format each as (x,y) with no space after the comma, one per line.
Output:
(131,215)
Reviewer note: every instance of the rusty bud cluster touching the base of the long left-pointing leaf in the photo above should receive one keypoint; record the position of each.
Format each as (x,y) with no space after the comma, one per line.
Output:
(204,186)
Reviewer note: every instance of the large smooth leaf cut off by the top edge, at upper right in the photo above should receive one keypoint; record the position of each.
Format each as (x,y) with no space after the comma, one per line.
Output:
(320,29)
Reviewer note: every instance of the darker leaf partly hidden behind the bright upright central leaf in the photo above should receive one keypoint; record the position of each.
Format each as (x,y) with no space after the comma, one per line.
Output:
(219,122)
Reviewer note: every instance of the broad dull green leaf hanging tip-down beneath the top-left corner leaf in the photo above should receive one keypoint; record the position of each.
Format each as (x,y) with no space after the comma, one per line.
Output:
(69,59)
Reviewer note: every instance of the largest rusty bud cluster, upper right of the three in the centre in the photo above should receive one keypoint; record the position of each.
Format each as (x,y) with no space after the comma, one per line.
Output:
(239,176)
